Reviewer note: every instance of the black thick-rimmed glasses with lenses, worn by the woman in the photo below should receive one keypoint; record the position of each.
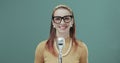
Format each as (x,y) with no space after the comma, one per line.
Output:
(58,19)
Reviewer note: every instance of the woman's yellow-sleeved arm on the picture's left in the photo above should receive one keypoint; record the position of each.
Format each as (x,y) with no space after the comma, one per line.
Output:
(39,54)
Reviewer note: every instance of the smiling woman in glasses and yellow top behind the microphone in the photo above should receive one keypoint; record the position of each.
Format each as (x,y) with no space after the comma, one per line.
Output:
(62,25)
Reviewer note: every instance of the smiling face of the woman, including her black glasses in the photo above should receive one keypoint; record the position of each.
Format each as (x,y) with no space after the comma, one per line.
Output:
(62,20)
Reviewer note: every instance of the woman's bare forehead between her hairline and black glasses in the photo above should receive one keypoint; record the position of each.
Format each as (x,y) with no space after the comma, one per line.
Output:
(61,12)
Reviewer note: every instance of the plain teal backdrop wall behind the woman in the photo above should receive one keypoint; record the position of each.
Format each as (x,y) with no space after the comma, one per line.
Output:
(24,23)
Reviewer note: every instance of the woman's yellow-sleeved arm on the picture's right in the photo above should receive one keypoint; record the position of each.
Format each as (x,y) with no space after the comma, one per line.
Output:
(84,55)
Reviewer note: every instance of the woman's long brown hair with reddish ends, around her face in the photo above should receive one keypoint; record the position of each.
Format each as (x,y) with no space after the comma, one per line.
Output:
(52,36)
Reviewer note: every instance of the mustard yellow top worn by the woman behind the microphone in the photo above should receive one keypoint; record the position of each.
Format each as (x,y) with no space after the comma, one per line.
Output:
(79,56)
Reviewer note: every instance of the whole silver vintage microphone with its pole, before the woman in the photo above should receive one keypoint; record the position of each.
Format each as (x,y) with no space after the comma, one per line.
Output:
(60,45)
